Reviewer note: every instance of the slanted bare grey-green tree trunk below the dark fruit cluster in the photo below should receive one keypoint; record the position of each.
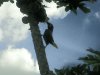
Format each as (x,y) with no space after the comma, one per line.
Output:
(39,49)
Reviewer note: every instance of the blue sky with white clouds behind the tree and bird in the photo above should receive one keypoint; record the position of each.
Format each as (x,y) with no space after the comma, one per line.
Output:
(72,33)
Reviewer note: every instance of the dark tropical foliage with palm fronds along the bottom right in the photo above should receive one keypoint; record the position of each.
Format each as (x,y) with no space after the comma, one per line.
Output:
(91,65)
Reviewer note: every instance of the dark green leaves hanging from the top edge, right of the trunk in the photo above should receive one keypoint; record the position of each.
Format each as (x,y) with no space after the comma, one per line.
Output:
(74,4)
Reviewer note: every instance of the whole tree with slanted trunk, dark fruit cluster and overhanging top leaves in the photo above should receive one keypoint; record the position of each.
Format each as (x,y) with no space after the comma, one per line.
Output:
(36,13)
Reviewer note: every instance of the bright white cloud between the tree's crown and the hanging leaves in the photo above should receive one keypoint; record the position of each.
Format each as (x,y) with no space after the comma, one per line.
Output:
(55,13)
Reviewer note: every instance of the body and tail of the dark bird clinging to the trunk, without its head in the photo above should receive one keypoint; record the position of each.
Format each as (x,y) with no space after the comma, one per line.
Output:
(48,38)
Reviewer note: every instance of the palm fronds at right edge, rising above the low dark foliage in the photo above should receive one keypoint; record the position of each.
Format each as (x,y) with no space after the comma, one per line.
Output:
(92,59)
